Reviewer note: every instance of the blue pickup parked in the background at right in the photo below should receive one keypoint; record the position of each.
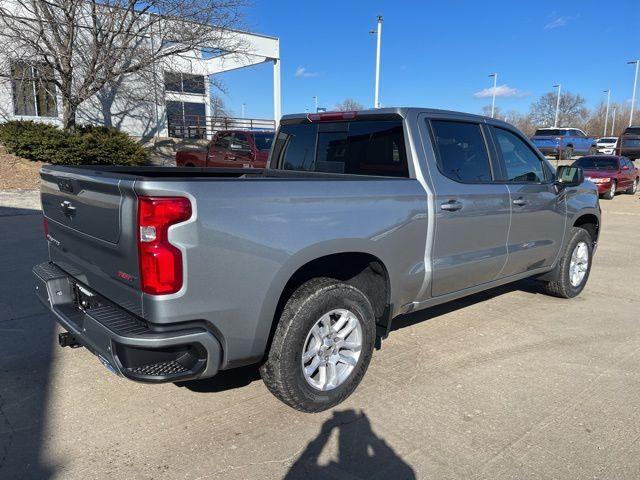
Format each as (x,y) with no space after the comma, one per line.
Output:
(563,143)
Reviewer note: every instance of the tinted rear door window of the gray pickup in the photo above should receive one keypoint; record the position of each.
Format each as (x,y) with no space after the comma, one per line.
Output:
(461,151)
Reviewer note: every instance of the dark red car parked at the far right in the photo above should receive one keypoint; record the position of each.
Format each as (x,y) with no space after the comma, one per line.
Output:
(610,173)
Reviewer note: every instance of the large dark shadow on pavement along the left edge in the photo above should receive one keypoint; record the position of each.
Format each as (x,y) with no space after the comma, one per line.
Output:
(26,349)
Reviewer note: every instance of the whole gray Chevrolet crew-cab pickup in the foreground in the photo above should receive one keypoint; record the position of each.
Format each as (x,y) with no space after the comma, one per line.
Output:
(171,274)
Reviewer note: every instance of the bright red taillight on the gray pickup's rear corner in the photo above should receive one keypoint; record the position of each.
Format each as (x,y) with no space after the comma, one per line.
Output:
(160,261)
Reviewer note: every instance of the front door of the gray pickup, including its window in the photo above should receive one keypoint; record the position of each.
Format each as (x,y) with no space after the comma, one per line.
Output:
(538,209)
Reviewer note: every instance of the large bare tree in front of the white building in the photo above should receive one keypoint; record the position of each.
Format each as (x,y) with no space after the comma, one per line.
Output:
(85,46)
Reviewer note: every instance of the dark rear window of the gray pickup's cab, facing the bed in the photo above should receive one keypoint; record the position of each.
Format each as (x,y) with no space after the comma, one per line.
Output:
(358,148)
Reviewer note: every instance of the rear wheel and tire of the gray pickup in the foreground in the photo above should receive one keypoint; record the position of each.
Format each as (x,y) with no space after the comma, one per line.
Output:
(322,345)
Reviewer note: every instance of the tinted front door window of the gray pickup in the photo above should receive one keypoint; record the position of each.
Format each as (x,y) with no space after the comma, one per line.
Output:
(521,163)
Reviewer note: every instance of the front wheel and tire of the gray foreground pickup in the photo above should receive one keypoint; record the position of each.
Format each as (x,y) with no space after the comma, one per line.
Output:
(572,271)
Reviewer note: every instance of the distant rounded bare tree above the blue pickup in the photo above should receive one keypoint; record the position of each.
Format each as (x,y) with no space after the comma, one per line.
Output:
(572,111)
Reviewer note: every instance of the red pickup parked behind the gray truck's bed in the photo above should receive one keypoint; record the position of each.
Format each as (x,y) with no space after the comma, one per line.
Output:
(230,149)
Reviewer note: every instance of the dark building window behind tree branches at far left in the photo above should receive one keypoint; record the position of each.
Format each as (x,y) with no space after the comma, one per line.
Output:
(34,92)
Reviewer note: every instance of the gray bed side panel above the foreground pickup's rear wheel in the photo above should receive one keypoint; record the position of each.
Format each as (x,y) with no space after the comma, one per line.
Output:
(249,236)
